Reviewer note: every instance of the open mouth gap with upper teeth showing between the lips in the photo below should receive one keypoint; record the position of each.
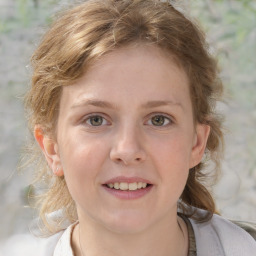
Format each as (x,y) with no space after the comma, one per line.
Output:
(126,186)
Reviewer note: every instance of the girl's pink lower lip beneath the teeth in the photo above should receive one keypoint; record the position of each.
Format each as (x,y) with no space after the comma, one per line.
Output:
(128,194)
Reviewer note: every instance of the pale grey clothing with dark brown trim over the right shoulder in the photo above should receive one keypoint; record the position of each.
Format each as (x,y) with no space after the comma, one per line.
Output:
(208,246)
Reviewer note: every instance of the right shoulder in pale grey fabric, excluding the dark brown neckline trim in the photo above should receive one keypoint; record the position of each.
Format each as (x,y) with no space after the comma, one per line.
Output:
(219,236)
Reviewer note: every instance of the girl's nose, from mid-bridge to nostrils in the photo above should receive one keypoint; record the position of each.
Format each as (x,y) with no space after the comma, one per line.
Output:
(128,148)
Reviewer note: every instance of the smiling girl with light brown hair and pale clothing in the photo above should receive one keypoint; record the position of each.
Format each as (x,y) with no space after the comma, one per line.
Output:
(122,107)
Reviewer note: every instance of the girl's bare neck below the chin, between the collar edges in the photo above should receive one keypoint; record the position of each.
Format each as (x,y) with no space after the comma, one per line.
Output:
(162,239)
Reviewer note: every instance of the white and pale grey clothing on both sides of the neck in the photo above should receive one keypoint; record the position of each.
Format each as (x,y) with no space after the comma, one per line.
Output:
(216,237)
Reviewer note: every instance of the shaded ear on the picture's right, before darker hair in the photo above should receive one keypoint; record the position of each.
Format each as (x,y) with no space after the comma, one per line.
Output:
(199,145)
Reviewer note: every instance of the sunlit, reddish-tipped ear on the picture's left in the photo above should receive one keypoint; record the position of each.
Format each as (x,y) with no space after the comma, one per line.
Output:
(50,150)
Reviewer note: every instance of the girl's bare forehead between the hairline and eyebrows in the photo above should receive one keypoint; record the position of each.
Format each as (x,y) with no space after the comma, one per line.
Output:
(138,70)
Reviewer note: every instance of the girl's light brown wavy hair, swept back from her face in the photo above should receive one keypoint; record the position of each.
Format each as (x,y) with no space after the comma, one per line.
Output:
(83,34)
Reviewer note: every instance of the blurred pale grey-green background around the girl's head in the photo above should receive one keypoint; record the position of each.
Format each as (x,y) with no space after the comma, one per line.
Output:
(231,31)
